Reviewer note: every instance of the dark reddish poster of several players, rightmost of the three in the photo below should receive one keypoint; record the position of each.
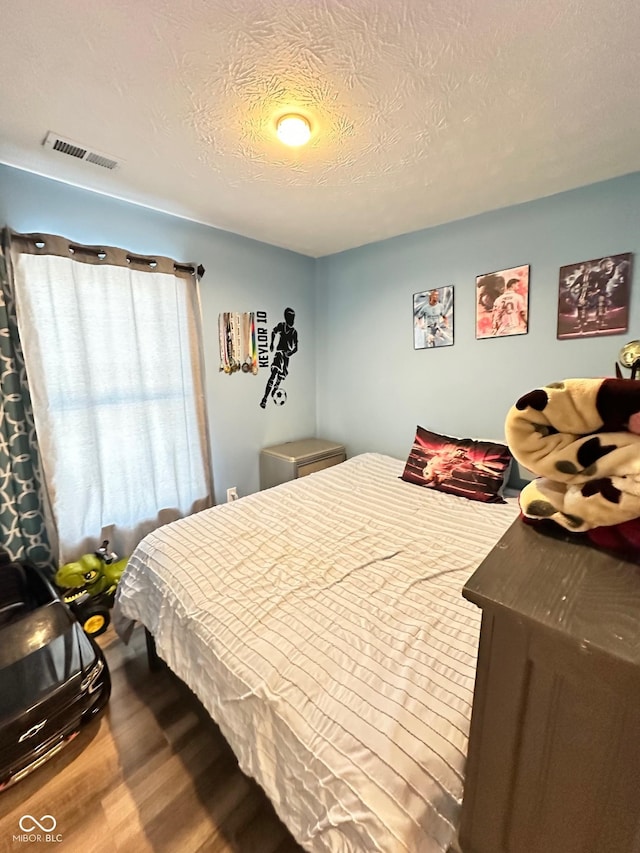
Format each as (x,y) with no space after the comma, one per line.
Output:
(593,297)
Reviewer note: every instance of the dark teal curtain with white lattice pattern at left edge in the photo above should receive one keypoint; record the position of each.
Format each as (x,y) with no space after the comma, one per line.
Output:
(22,501)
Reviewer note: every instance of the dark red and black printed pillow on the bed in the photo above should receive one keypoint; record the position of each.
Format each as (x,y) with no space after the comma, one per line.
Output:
(477,470)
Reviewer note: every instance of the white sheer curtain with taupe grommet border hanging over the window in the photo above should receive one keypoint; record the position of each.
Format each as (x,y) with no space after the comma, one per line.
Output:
(112,352)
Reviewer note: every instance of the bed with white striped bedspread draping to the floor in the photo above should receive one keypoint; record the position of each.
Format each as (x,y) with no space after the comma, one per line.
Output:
(321,623)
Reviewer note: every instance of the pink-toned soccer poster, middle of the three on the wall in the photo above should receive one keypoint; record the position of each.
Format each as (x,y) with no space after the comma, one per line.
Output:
(502,303)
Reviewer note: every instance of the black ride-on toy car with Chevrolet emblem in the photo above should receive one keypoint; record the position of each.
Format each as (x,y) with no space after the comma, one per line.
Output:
(53,677)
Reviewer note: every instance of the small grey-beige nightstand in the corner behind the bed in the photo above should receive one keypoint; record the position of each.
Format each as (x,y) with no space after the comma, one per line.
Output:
(283,462)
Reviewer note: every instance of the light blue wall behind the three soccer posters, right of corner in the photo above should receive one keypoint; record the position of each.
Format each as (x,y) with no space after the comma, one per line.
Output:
(373,387)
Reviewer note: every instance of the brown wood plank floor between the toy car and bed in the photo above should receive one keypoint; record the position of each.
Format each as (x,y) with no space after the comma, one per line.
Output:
(153,774)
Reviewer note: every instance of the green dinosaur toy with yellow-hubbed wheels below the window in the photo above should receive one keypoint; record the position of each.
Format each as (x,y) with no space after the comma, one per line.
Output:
(88,586)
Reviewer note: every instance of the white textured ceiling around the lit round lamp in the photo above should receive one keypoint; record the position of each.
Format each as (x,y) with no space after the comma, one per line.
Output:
(423,111)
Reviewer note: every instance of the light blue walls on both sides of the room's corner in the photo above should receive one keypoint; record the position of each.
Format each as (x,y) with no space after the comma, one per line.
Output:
(368,386)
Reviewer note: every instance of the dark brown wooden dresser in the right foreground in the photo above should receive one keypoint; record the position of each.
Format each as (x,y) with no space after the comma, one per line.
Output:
(554,748)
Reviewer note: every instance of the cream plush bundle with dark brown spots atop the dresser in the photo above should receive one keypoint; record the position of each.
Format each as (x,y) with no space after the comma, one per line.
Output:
(581,437)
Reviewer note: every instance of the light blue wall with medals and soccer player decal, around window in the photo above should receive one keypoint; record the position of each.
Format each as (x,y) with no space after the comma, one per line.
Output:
(241,275)
